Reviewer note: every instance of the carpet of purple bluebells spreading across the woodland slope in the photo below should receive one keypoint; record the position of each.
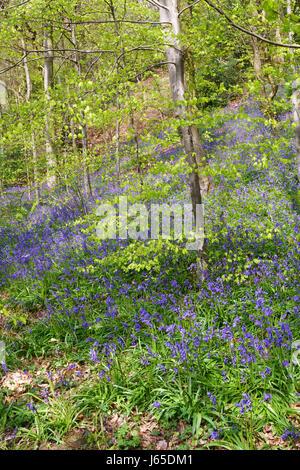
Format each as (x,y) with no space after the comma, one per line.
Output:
(234,330)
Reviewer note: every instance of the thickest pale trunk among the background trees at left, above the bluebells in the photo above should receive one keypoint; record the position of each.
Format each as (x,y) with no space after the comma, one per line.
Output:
(48,77)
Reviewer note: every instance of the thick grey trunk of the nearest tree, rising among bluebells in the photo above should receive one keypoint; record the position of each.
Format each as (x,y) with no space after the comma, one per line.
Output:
(189,134)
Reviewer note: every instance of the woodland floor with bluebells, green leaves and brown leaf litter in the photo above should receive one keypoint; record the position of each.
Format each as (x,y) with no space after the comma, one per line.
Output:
(117,345)
